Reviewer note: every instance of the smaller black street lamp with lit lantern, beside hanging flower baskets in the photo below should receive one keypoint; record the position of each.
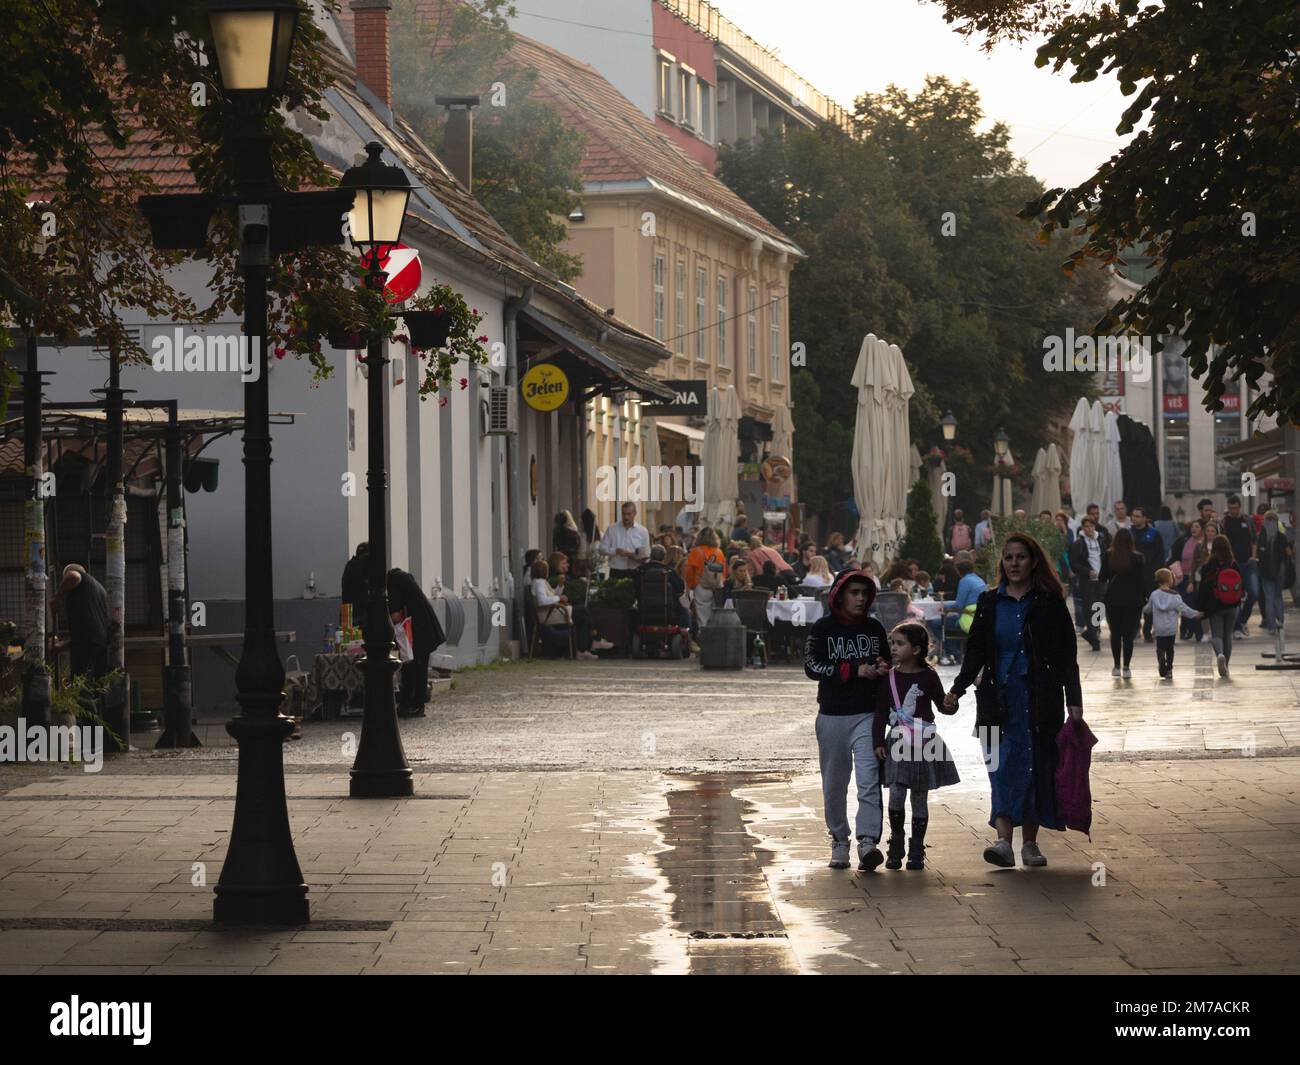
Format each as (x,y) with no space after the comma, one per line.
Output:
(379,211)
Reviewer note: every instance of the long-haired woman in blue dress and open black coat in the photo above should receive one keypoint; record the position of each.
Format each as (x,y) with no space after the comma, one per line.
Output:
(1024,643)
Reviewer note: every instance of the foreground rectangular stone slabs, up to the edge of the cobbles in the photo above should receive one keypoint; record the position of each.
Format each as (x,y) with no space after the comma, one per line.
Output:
(600,890)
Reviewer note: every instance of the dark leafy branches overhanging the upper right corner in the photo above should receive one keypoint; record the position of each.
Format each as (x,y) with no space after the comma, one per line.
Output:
(1210,185)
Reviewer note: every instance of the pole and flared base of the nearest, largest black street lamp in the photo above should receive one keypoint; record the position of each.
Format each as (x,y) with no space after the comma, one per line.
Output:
(262,882)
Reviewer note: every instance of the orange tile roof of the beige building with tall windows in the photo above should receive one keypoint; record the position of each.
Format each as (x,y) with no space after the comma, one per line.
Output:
(623,144)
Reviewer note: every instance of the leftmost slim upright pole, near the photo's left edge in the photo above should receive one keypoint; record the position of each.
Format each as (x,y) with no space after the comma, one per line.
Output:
(36,690)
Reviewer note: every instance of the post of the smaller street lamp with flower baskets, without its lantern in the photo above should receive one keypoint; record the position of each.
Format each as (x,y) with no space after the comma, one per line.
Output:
(382,770)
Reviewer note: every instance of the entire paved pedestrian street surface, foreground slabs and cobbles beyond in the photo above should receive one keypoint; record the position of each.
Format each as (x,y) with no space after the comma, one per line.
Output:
(623,817)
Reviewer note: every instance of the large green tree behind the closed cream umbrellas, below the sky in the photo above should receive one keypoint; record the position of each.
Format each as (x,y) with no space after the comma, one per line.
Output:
(912,235)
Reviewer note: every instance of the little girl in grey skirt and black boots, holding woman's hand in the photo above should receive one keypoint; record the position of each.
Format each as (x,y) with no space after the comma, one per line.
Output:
(915,757)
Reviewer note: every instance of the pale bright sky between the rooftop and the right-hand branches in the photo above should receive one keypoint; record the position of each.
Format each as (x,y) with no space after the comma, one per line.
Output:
(848,47)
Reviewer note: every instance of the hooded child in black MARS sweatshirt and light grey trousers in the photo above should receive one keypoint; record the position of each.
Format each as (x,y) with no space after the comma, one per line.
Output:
(847,656)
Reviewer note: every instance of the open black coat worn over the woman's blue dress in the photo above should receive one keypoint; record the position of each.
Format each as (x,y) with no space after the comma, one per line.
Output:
(1050,643)
